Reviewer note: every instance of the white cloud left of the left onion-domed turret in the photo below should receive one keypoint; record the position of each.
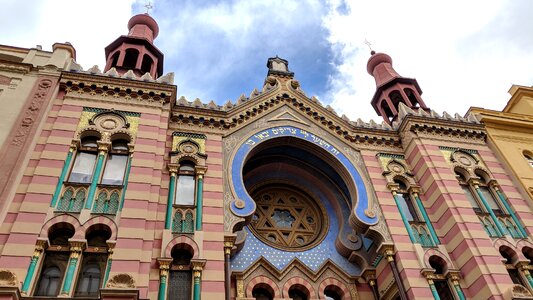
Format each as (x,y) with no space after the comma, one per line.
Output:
(88,25)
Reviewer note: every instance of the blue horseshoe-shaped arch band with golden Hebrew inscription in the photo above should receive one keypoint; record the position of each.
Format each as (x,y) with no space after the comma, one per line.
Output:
(289,131)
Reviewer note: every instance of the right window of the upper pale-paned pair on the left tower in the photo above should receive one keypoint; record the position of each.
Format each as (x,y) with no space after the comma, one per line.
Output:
(117,160)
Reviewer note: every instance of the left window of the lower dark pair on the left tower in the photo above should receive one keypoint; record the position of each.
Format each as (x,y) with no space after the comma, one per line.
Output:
(55,261)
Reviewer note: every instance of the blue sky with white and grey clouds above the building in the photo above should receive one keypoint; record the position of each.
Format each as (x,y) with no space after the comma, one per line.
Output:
(463,53)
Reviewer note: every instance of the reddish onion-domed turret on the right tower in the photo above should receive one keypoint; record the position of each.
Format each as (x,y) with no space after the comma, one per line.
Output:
(392,89)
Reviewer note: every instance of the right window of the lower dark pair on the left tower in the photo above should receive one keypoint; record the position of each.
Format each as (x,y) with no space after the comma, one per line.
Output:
(94,262)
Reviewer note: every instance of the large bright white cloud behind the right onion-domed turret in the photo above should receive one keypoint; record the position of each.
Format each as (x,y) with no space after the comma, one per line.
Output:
(427,41)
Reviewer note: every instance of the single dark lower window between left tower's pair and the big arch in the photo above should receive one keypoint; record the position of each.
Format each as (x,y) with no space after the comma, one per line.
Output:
(180,276)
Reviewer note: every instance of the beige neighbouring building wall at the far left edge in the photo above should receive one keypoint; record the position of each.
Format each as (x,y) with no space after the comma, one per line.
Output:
(28,82)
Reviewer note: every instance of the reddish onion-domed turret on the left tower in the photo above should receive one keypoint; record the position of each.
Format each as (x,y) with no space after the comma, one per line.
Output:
(136,51)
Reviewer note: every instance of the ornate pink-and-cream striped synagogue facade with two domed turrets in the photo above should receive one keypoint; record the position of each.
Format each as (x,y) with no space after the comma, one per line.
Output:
(126,192)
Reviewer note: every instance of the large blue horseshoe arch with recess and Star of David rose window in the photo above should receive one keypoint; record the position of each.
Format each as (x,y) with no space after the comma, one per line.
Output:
(302,201)
